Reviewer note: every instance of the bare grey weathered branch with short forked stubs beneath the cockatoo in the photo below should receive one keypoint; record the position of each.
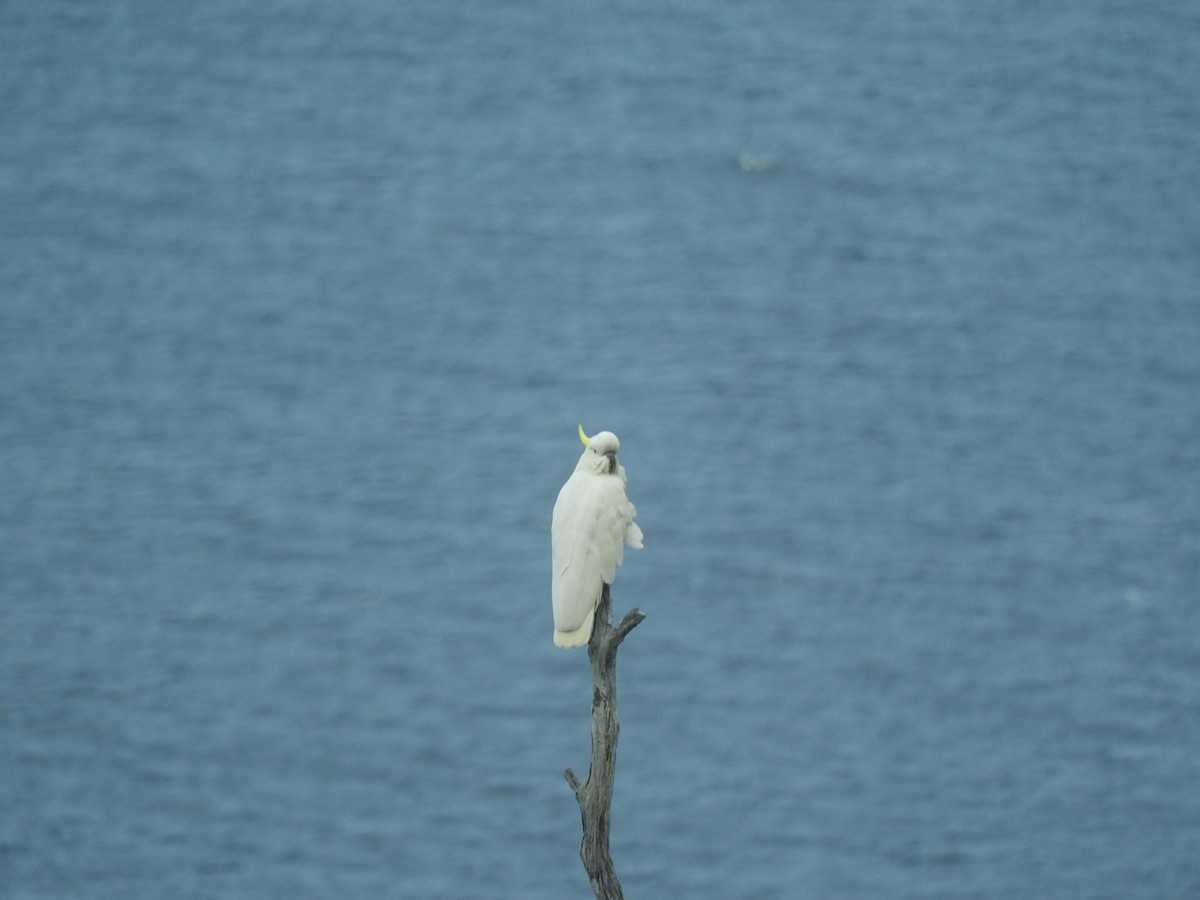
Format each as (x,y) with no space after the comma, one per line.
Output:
(595,796)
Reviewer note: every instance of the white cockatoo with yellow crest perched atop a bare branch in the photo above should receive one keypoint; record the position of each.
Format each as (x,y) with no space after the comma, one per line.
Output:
(593,523)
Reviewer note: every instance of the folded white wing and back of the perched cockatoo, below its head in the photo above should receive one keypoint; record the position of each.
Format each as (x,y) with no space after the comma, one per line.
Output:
(591,525)
